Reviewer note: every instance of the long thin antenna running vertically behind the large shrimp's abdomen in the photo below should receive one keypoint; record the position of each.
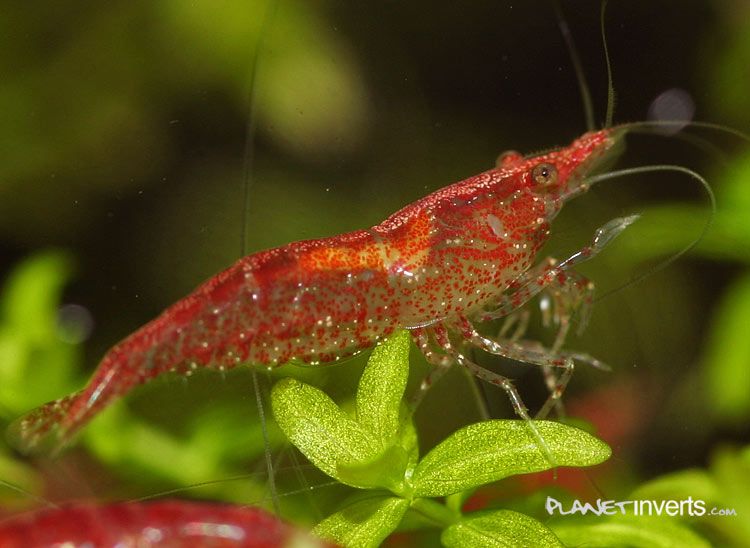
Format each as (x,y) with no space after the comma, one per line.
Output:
(247,180)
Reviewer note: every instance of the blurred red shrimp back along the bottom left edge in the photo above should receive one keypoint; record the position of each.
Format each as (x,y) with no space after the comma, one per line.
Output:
(173,524)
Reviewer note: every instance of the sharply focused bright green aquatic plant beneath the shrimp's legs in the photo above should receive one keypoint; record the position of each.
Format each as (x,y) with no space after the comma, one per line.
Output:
(374,448)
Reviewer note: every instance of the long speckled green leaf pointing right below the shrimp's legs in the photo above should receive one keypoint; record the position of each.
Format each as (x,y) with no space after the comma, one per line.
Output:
(488,451)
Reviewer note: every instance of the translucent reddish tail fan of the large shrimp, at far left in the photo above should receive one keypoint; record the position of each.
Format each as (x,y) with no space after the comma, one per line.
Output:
(45,429)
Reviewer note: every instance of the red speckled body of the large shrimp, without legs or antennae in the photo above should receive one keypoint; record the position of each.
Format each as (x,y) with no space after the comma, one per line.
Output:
(447,256)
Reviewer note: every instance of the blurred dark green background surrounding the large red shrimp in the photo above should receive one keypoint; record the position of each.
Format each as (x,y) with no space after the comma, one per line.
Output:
(123,137)
